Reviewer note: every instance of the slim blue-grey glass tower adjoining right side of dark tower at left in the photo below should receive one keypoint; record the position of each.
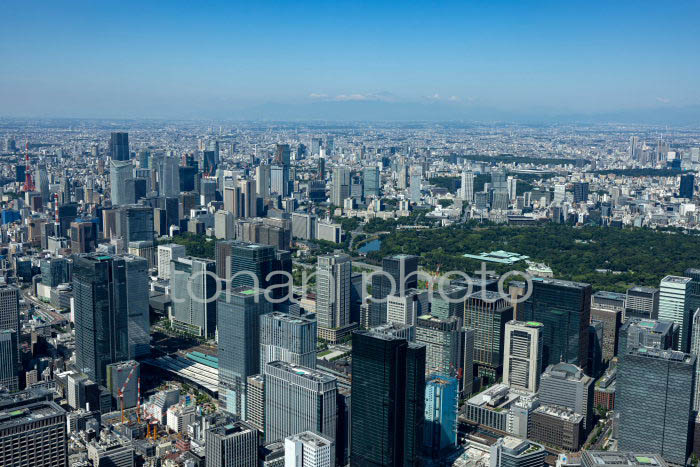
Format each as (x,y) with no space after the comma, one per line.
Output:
(137,306)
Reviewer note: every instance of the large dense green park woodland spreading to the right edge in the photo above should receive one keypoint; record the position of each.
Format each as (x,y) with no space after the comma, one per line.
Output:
(631,256)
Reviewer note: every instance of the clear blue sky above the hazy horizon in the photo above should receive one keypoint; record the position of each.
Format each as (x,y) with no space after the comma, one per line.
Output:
(233,59)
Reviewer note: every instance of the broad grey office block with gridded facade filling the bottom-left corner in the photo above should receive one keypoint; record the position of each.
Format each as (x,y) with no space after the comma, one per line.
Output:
(34,434)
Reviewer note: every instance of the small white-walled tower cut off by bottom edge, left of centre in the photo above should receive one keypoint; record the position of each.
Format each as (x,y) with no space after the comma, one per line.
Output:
(232,444)
